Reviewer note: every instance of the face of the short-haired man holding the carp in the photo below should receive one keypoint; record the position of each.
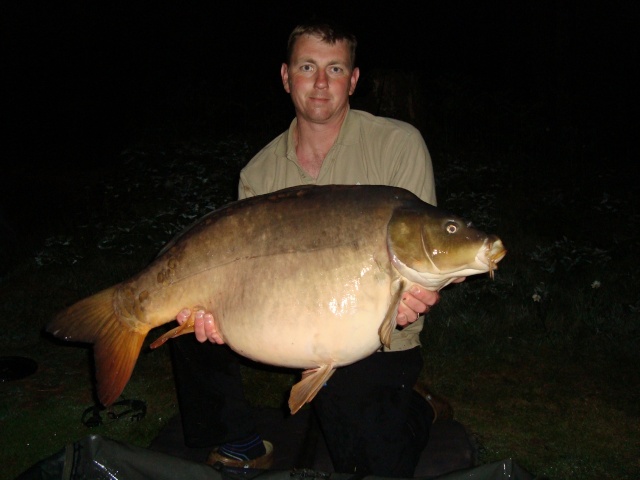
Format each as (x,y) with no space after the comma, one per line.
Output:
(319,79)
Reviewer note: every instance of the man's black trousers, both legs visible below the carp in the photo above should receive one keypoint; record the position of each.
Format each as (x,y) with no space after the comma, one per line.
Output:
(372,420)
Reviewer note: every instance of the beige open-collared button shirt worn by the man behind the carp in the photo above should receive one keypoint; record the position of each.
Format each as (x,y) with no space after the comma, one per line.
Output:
(369,150)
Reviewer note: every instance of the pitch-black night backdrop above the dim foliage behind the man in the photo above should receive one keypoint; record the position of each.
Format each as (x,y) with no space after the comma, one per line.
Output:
(83,80)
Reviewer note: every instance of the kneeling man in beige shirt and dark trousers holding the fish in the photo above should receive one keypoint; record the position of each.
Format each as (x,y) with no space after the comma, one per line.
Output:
(373,420)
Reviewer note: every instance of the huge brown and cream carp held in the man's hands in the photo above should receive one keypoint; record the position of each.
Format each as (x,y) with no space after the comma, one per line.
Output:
(306,277)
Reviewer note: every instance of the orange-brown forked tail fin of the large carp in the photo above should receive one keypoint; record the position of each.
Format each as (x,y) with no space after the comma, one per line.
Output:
(116,344)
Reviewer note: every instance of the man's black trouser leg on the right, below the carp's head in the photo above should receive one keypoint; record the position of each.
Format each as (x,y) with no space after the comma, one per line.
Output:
(372,420)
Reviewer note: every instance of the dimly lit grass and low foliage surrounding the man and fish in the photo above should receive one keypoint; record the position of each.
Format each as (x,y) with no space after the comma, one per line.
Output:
(540,364)
